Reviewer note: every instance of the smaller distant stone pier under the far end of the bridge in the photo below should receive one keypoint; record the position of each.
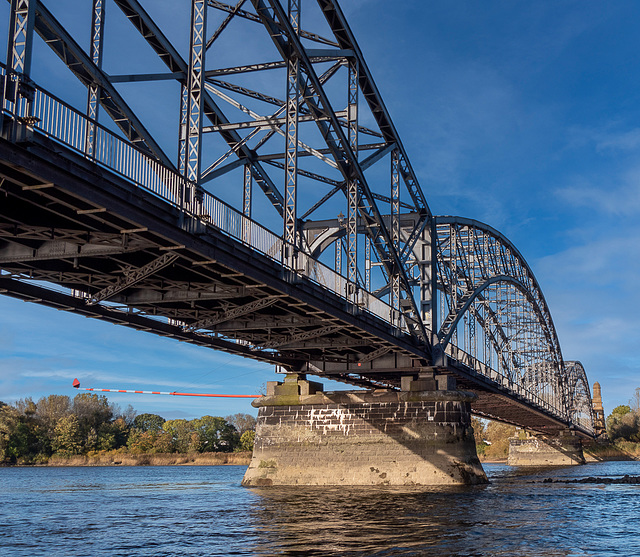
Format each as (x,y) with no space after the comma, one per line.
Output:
(563,449)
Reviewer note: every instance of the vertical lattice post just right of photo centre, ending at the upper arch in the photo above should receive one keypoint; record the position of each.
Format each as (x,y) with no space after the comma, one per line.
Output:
(353,197)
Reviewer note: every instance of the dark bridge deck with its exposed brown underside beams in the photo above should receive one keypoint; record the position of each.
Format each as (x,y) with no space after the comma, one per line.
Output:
(119,253)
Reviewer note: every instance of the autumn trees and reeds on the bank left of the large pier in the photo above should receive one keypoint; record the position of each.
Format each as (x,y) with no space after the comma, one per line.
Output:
(90,431)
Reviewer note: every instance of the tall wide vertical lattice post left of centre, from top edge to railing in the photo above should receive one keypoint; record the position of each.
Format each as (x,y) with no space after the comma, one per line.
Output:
(195,89)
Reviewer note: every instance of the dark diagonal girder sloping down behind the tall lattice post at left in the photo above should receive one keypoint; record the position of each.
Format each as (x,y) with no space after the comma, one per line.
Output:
(170,56)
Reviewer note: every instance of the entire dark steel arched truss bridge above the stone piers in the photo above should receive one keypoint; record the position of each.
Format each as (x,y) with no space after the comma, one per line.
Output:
(288,226)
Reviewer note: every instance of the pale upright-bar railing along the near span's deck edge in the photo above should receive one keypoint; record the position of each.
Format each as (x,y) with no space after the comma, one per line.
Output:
(62,123)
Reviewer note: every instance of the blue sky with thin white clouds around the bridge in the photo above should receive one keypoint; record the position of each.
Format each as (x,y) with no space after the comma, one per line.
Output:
(523,115)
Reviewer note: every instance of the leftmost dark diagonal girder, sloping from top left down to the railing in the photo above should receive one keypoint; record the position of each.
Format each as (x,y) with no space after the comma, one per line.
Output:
(88,73)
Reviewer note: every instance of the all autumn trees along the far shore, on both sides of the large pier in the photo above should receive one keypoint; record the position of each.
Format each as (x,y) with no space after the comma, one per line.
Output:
(90,431)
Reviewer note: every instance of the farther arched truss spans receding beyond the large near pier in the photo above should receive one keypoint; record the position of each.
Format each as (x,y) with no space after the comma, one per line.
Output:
(491,311)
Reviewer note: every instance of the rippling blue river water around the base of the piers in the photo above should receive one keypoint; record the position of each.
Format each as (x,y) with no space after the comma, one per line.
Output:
(203,511)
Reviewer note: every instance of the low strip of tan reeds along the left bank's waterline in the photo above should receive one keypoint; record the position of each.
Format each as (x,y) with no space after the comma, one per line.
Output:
(113,458)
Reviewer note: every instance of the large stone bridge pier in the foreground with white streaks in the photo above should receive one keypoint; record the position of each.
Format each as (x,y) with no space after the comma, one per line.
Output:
(421,435)
